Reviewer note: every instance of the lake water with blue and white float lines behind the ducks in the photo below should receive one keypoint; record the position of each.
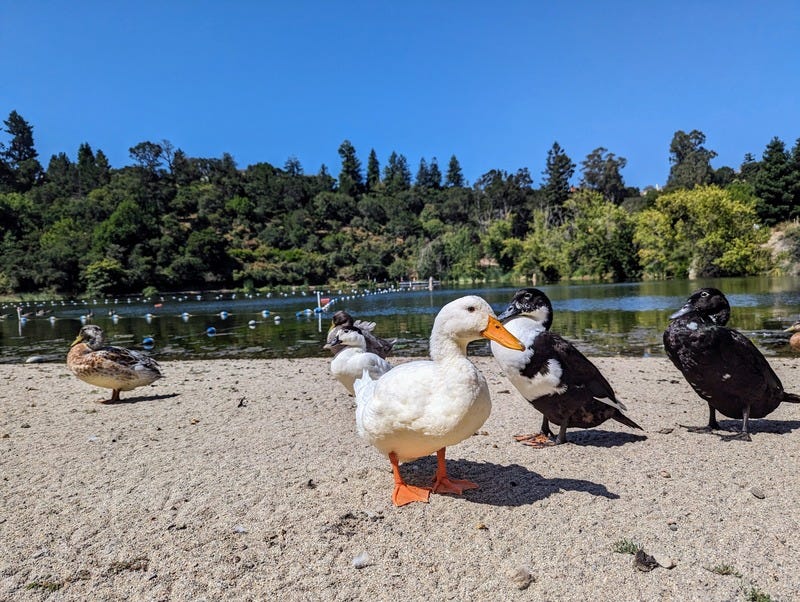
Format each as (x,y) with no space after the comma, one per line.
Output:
(601,319)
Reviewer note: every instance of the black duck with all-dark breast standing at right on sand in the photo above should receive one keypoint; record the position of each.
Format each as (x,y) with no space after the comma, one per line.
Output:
(721,364)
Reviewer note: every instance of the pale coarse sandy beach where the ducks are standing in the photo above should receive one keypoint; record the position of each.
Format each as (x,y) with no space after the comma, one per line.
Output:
(246,480)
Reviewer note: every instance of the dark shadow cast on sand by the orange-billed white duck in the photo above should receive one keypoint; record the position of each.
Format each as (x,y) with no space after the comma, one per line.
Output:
(498,485)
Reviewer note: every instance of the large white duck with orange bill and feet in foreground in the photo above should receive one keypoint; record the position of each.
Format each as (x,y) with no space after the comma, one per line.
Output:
(424,406)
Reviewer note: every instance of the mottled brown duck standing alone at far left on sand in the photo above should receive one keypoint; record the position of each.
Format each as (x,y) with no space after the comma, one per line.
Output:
(115,368)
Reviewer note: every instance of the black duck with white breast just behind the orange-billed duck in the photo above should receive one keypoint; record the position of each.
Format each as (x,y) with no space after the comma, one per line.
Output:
(556,378)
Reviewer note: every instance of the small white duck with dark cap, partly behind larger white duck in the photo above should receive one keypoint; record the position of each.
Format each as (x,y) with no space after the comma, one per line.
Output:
(352,357)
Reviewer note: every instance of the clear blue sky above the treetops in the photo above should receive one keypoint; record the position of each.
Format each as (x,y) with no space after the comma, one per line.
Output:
(495,83)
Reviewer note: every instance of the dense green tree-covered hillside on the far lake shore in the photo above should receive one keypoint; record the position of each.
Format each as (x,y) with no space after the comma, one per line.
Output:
(173,222)
